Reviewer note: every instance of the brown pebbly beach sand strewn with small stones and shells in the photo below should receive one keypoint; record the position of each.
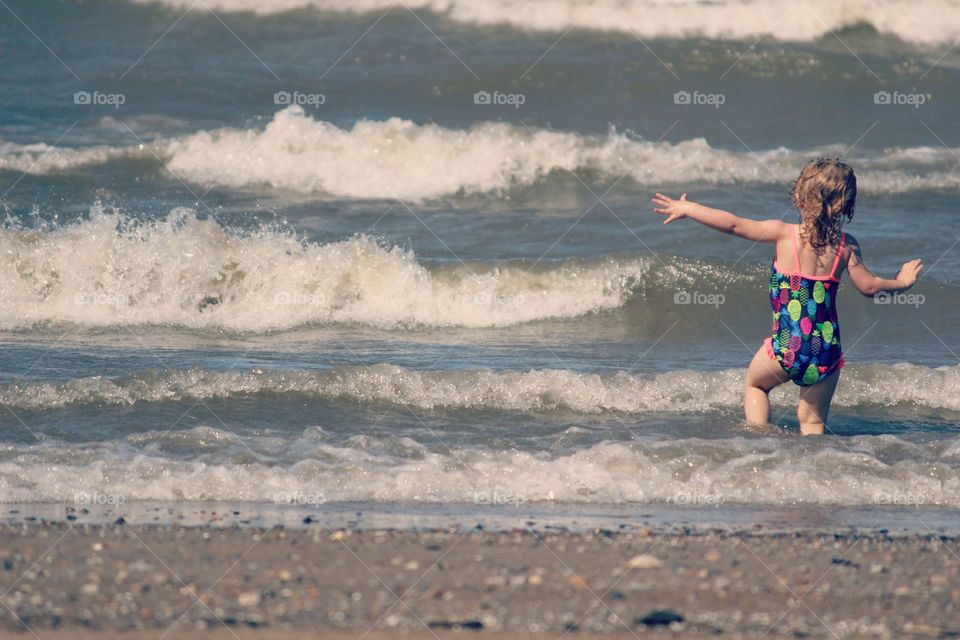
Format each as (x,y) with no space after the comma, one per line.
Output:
(73,580)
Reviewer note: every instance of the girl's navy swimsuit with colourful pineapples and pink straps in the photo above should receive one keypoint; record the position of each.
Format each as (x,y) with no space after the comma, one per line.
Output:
(806,332)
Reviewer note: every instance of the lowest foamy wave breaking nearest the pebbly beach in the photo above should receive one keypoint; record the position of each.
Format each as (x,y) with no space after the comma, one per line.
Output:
(882,470)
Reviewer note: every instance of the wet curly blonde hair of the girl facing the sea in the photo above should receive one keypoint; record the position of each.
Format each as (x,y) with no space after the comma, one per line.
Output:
(825,194)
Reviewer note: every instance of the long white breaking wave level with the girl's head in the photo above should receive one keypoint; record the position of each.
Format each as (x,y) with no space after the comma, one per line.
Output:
(397,158)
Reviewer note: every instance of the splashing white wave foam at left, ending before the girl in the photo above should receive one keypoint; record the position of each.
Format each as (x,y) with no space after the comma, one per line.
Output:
(184,271)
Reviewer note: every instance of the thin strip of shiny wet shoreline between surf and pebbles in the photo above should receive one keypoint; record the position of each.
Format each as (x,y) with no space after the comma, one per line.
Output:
(886,519)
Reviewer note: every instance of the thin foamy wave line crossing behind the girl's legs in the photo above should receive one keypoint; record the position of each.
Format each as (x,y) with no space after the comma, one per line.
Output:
(541,390)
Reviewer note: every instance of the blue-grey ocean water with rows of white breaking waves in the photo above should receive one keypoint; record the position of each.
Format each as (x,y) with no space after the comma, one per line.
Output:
(320,252)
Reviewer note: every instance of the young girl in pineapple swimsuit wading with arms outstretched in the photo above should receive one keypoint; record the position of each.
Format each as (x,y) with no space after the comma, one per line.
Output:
(804,280)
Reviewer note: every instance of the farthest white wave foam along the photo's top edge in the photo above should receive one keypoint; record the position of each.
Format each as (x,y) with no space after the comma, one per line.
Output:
(924,22)
